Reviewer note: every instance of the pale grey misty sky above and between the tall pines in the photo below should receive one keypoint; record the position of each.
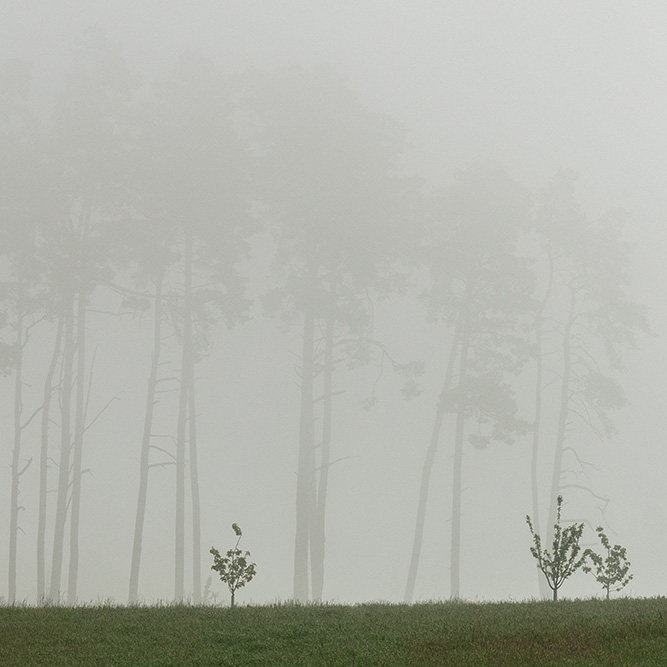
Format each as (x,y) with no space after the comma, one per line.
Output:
(535,85)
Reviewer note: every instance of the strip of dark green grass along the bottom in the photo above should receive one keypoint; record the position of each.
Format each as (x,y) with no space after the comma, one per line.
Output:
(590,632)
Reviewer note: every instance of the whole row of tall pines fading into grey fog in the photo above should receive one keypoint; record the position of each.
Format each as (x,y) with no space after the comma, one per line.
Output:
(146,197)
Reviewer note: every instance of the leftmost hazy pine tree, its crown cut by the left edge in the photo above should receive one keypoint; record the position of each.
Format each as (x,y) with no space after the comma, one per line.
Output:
(21,292)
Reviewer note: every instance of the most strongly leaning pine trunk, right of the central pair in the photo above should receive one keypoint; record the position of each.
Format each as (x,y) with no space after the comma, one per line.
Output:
(440,411)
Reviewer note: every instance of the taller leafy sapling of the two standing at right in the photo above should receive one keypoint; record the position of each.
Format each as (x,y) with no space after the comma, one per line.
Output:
(563,560)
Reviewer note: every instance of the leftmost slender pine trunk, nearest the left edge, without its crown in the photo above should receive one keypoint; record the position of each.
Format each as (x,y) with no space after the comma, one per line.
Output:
(16,472)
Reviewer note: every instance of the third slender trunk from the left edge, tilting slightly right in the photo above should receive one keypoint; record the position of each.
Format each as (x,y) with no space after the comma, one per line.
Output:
(65,449)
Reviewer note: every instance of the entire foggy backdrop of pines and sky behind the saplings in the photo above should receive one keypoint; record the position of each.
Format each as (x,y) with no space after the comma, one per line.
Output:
(372,280)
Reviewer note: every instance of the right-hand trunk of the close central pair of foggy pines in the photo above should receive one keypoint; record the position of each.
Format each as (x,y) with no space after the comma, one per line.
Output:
(318,538)
